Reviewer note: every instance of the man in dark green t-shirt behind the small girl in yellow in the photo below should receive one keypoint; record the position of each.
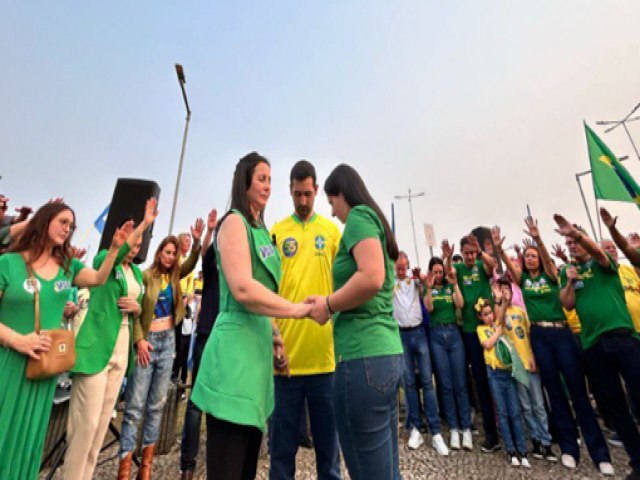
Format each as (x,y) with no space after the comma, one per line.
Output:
(473,279)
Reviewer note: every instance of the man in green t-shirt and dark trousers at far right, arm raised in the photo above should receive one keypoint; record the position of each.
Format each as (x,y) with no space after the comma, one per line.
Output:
(612,348)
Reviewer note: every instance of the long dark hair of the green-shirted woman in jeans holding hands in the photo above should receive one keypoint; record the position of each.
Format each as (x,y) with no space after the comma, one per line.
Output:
(346,181)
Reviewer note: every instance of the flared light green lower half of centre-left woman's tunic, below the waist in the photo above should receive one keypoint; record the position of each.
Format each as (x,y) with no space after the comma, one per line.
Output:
(235,379)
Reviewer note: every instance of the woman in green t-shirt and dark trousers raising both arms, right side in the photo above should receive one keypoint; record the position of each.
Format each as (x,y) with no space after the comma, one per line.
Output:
(555,350)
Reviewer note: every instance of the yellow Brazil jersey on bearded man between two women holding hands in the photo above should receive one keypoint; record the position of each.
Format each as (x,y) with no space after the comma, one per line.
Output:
(307,251)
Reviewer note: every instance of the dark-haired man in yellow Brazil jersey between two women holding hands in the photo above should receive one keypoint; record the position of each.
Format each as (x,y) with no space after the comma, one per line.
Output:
(308,244)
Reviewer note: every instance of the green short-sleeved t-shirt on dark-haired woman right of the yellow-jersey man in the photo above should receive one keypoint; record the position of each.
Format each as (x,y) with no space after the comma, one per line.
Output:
(369,329)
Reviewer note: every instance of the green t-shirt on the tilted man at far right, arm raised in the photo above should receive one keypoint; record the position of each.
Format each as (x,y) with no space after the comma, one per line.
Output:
(600,302)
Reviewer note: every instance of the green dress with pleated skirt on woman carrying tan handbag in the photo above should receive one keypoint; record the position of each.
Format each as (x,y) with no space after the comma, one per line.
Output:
(25,405)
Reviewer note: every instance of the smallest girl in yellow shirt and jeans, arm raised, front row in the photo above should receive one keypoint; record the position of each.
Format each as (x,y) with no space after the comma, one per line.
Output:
(503,386)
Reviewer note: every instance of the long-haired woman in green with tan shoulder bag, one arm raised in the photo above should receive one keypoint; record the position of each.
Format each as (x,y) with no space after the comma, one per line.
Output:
(25,405)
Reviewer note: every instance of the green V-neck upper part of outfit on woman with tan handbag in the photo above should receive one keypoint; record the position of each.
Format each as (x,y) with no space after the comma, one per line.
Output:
(16,305)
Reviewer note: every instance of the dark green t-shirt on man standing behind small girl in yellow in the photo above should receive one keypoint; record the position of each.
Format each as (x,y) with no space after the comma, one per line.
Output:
(474,283)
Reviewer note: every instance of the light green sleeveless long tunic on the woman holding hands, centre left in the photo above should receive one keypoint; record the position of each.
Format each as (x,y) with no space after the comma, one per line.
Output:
(235,380)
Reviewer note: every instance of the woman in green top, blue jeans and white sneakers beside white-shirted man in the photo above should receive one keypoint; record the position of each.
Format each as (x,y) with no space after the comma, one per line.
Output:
(441,299)
